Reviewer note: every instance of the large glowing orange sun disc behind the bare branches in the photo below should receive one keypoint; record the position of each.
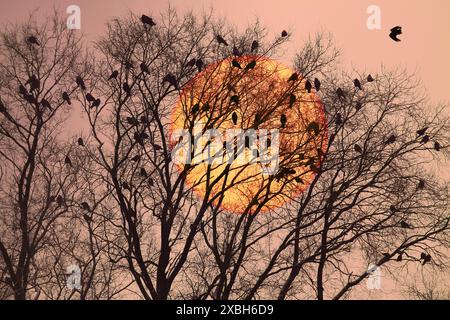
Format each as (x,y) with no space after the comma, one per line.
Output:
(253,134)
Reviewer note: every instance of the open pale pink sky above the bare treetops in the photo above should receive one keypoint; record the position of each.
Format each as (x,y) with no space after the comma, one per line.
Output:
(425,46)
